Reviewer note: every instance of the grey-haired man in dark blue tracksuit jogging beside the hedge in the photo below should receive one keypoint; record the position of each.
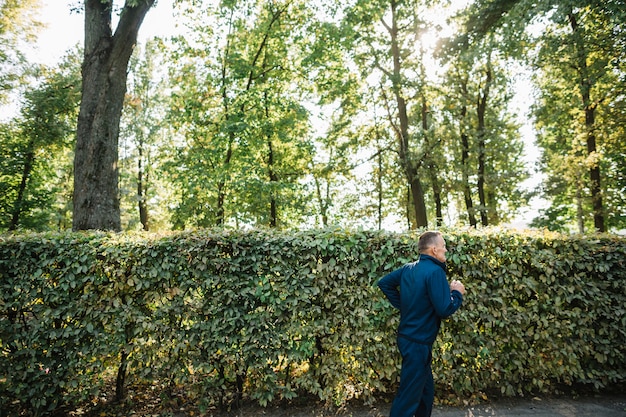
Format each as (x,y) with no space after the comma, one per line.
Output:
(421,292)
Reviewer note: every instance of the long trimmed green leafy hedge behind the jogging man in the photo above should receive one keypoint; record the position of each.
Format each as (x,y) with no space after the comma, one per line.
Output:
(267,315)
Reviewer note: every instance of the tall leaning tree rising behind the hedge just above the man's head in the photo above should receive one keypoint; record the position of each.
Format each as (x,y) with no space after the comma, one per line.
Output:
(385,42)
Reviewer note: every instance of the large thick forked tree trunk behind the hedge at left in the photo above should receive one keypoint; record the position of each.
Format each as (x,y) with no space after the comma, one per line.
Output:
(106,56)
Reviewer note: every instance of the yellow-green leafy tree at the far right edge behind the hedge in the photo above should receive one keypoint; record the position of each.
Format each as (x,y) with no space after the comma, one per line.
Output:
(579,91)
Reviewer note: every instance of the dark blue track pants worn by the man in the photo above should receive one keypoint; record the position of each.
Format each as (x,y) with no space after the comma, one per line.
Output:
(416,394)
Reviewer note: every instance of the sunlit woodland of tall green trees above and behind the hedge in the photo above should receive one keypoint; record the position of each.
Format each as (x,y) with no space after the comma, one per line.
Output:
(303,114)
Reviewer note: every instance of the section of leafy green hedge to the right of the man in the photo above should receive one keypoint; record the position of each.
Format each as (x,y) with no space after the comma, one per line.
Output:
(541,311)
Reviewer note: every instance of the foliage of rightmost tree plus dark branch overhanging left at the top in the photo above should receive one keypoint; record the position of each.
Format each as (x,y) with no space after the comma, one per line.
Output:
(579,64)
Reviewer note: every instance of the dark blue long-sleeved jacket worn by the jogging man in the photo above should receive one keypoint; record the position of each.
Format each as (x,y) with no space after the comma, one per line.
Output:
(420,290)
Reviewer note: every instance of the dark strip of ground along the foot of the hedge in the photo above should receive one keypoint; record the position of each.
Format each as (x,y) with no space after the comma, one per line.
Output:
(611,403)
